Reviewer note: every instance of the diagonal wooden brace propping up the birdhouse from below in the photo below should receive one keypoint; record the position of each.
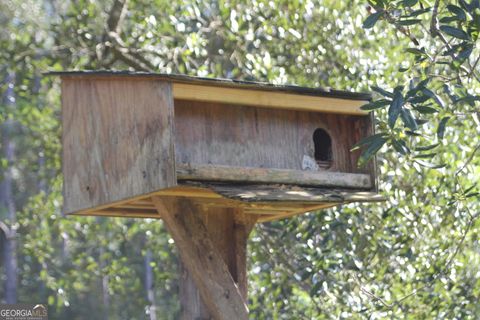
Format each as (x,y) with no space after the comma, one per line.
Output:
(198,253)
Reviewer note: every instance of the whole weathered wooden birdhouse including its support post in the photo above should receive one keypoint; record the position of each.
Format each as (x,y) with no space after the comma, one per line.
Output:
(146,145)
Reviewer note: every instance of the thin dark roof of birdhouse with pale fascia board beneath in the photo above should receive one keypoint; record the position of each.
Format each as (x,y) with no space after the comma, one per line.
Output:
(245,92)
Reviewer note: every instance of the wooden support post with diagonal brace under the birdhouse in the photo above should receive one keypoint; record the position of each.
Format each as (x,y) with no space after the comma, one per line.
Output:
(212,247)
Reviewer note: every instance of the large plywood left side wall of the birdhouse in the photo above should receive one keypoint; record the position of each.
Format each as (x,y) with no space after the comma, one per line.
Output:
(117,140)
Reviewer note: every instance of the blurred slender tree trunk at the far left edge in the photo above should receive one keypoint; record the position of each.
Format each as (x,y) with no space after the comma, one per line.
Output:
(7,202)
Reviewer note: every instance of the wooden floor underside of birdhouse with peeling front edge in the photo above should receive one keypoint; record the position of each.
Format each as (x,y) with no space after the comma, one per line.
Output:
(270,202)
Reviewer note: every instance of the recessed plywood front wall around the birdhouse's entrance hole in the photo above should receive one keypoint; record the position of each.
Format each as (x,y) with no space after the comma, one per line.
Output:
(211,133)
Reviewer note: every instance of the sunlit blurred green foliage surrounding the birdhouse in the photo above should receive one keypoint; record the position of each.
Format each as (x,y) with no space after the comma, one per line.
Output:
(416,256)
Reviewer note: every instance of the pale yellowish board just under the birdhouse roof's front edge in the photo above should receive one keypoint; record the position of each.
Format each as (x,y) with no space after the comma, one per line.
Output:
(268,99)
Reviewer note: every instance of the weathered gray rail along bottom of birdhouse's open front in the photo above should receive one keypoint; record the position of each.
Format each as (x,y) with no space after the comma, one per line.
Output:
(202,172)
